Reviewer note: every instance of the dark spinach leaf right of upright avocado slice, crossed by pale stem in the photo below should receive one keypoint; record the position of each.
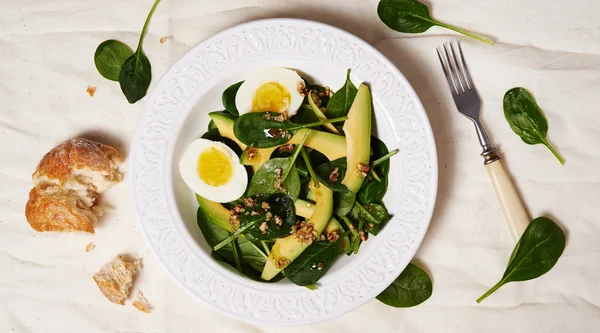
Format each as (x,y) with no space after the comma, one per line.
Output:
(373,190)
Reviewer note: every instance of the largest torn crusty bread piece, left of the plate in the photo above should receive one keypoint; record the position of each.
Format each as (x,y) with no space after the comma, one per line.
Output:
(67,182)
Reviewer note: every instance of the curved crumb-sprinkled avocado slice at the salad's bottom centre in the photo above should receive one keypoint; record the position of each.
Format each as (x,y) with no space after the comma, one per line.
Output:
(289,248)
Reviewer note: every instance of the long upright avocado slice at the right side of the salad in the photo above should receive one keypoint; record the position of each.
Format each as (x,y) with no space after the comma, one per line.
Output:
(358,139)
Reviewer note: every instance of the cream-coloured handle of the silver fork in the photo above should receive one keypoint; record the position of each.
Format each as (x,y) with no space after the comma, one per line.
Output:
(513,209)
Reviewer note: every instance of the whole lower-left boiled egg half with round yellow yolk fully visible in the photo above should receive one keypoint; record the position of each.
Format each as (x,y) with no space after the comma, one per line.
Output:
(212,170)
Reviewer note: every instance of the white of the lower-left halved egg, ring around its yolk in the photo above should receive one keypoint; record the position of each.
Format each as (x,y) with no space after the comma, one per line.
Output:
(188,168)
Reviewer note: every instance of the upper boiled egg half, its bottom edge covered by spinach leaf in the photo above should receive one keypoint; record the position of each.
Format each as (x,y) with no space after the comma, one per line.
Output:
(278,90)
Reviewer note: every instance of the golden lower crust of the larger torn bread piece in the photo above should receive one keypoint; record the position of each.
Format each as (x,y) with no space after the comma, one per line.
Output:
(56,212)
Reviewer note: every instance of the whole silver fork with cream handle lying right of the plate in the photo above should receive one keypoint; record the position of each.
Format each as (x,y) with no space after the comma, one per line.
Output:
(468,104)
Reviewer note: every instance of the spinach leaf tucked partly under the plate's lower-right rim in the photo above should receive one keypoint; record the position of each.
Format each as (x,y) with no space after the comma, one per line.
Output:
(411,288)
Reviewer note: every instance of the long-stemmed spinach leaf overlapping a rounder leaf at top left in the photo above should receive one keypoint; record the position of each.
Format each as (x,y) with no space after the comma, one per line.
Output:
(136,73)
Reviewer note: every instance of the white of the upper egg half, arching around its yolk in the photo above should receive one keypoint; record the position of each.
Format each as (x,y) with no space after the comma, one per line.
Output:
(285,77)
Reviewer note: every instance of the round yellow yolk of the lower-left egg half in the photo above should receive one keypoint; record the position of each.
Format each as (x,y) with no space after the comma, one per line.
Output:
(214,167)
